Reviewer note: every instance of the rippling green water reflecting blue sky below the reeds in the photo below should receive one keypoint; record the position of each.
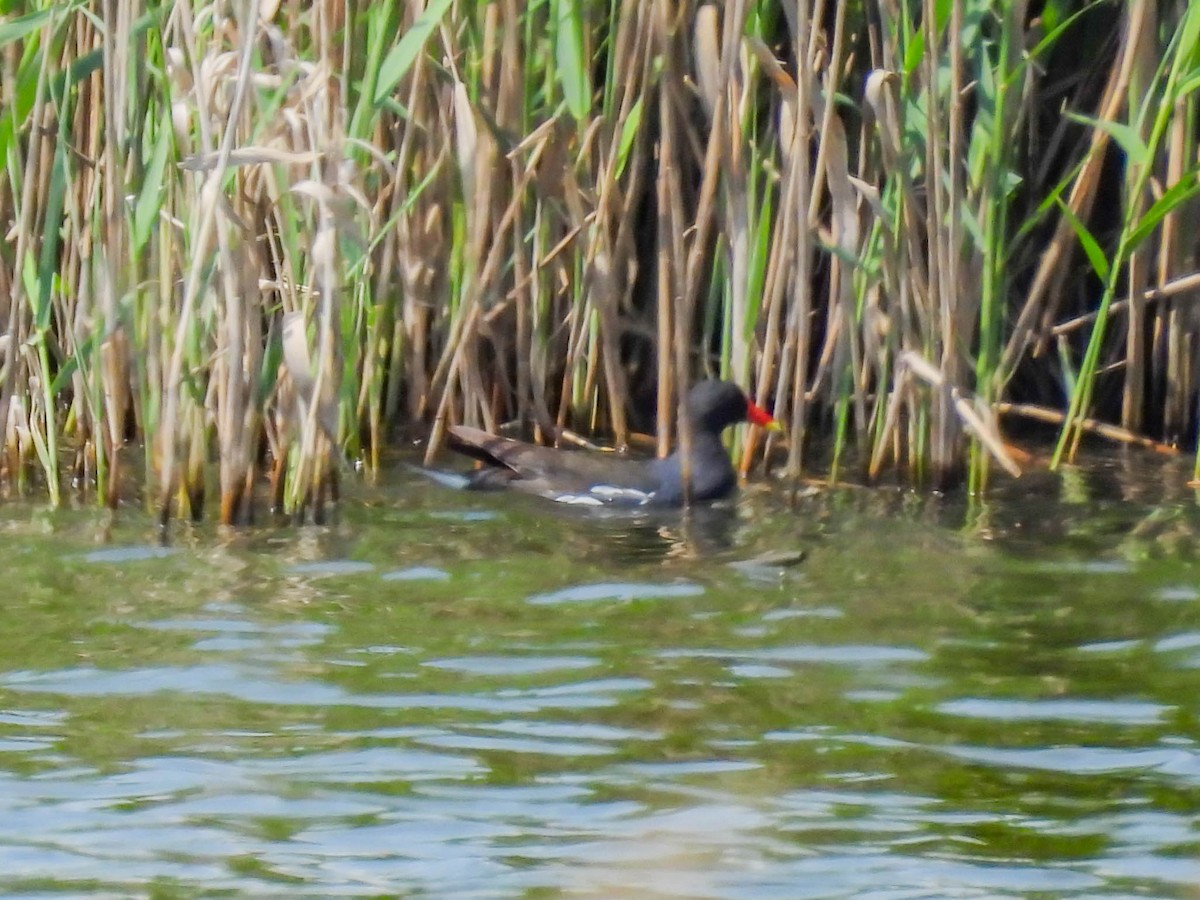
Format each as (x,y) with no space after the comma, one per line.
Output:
(874,695)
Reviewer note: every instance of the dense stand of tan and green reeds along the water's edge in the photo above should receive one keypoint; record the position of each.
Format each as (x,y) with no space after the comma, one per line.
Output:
(248,245)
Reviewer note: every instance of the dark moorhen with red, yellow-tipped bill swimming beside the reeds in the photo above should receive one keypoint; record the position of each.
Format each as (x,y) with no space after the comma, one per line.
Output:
(597,481)
